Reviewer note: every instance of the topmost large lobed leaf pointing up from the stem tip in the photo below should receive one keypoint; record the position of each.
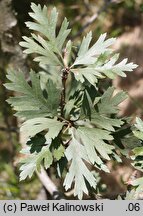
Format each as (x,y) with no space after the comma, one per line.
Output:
(50,44)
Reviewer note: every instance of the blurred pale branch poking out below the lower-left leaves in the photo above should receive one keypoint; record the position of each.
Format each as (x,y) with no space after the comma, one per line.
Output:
(49,185)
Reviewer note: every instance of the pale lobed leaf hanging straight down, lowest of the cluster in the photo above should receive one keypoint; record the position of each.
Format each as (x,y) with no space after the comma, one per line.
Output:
(78,171)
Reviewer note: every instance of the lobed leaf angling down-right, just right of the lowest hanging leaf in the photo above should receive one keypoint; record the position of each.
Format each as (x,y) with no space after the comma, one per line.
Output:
(93,140)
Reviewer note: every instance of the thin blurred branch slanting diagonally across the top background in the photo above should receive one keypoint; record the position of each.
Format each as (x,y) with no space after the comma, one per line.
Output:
(93,18)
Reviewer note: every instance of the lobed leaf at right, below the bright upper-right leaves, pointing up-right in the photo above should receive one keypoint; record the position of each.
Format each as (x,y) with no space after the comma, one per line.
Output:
(107,105)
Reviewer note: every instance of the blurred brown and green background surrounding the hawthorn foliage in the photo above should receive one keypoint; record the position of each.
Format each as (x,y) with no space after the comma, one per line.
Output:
(119,18)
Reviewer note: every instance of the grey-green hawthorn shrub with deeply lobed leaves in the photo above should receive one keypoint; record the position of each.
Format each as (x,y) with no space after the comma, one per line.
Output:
(68,121)
